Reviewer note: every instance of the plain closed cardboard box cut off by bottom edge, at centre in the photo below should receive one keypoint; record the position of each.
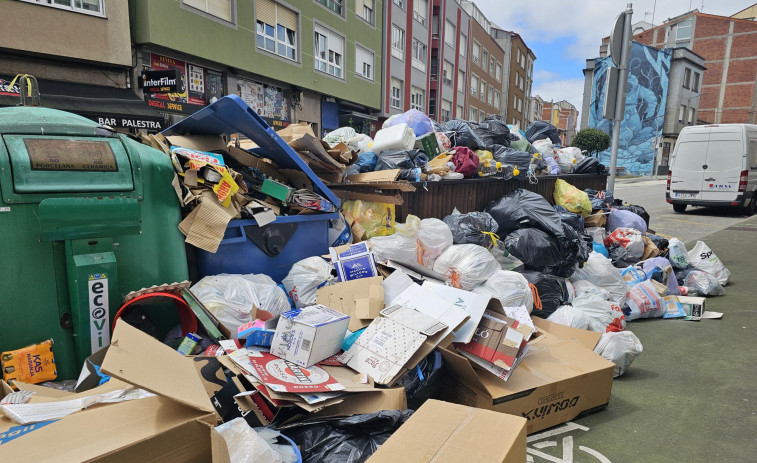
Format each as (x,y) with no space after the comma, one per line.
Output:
(443,432)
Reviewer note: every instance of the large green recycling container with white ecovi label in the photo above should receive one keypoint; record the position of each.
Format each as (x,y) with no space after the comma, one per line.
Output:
(87,215)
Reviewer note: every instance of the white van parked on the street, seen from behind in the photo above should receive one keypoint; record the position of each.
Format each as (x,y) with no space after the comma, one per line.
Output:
(714,165)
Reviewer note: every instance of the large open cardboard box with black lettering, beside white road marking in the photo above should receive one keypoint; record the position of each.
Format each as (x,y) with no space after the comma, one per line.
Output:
(557,381)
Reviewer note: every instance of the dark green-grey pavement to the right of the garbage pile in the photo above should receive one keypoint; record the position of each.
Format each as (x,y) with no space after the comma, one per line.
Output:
(691,395)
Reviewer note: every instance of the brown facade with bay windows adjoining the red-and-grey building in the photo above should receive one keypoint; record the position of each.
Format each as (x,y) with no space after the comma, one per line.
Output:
(486,63)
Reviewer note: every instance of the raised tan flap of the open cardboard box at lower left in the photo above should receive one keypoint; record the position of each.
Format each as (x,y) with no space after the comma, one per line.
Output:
(139,359)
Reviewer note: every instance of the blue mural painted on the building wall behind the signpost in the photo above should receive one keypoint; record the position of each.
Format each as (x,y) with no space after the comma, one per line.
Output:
(646,95)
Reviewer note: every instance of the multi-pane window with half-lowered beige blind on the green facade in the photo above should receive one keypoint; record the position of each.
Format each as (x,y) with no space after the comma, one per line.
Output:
(276,29)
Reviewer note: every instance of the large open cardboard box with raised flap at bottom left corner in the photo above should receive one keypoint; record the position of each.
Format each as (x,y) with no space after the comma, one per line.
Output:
(173,426)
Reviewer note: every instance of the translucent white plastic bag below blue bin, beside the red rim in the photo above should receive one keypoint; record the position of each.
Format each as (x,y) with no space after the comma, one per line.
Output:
(230,298)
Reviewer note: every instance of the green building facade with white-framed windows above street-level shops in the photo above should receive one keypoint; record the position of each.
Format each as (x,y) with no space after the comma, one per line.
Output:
(314,61)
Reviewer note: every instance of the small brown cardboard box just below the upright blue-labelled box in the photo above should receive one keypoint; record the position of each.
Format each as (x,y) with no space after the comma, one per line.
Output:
(361,299)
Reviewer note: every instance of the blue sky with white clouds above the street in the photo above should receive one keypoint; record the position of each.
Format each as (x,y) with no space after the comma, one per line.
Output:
(563,34)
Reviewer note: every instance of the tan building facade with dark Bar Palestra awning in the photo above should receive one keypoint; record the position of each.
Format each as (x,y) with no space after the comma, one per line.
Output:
(80,54)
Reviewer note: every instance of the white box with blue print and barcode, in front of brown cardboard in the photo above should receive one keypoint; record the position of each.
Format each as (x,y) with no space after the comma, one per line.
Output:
(308,335)
